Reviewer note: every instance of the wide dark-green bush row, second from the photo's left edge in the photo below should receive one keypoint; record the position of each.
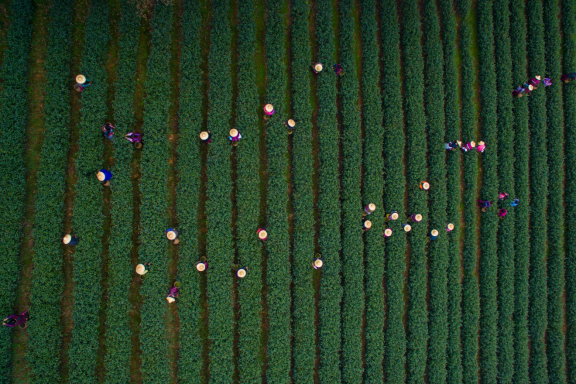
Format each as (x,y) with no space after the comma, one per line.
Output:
(45,333)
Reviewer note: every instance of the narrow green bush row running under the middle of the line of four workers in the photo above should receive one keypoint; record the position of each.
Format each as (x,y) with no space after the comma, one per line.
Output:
(470,294)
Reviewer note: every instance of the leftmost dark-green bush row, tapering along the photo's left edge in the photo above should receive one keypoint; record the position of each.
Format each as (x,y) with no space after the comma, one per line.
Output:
(13,108)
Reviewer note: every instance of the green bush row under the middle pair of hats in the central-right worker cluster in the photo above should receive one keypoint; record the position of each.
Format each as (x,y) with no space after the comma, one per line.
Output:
(394,188)
